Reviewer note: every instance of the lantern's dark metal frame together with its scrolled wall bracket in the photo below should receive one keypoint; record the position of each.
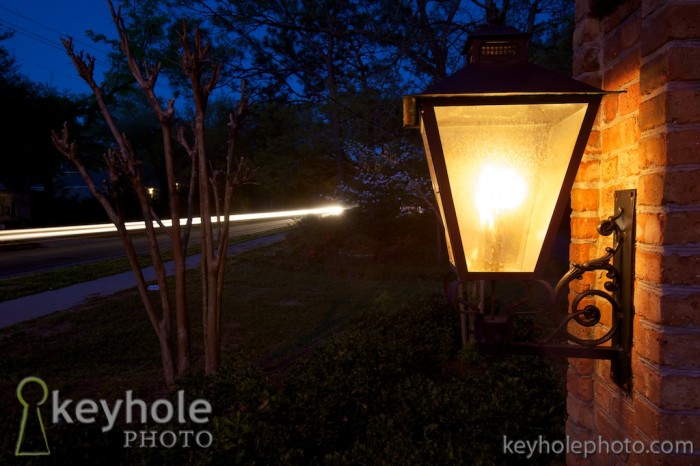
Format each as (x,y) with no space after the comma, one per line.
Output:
(498,74)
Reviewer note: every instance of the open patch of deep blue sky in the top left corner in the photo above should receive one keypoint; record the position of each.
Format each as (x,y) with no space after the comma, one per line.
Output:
(38,26)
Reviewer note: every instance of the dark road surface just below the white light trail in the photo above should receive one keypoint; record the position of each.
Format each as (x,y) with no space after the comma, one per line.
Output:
(53,253)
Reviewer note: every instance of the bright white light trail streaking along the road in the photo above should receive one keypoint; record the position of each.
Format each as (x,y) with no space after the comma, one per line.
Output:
(77,230)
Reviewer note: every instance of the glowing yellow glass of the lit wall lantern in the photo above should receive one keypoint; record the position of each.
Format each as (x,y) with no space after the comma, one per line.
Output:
(506,166)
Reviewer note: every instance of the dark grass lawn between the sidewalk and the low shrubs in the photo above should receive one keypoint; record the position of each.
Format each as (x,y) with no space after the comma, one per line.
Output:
(275,306)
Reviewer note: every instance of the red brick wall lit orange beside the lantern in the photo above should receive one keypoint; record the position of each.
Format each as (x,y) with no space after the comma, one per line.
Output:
(646,139)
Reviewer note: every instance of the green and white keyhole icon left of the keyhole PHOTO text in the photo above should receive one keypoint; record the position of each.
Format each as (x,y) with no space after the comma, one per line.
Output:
(32,422)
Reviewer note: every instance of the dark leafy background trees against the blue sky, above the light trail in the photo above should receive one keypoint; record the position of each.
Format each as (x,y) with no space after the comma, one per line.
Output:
(322,77)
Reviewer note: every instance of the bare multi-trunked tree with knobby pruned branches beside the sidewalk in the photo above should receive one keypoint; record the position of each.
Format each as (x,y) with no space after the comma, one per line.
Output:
(124,167)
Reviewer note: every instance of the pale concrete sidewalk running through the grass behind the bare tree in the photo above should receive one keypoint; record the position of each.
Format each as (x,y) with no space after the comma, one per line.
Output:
(48,302)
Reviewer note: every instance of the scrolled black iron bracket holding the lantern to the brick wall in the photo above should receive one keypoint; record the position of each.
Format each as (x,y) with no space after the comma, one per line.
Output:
(587,309)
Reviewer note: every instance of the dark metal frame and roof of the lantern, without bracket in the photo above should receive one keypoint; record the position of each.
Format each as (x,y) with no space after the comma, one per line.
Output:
(498,73)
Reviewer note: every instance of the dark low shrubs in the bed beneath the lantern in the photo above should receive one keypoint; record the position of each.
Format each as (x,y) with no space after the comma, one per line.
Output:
(376,395)
